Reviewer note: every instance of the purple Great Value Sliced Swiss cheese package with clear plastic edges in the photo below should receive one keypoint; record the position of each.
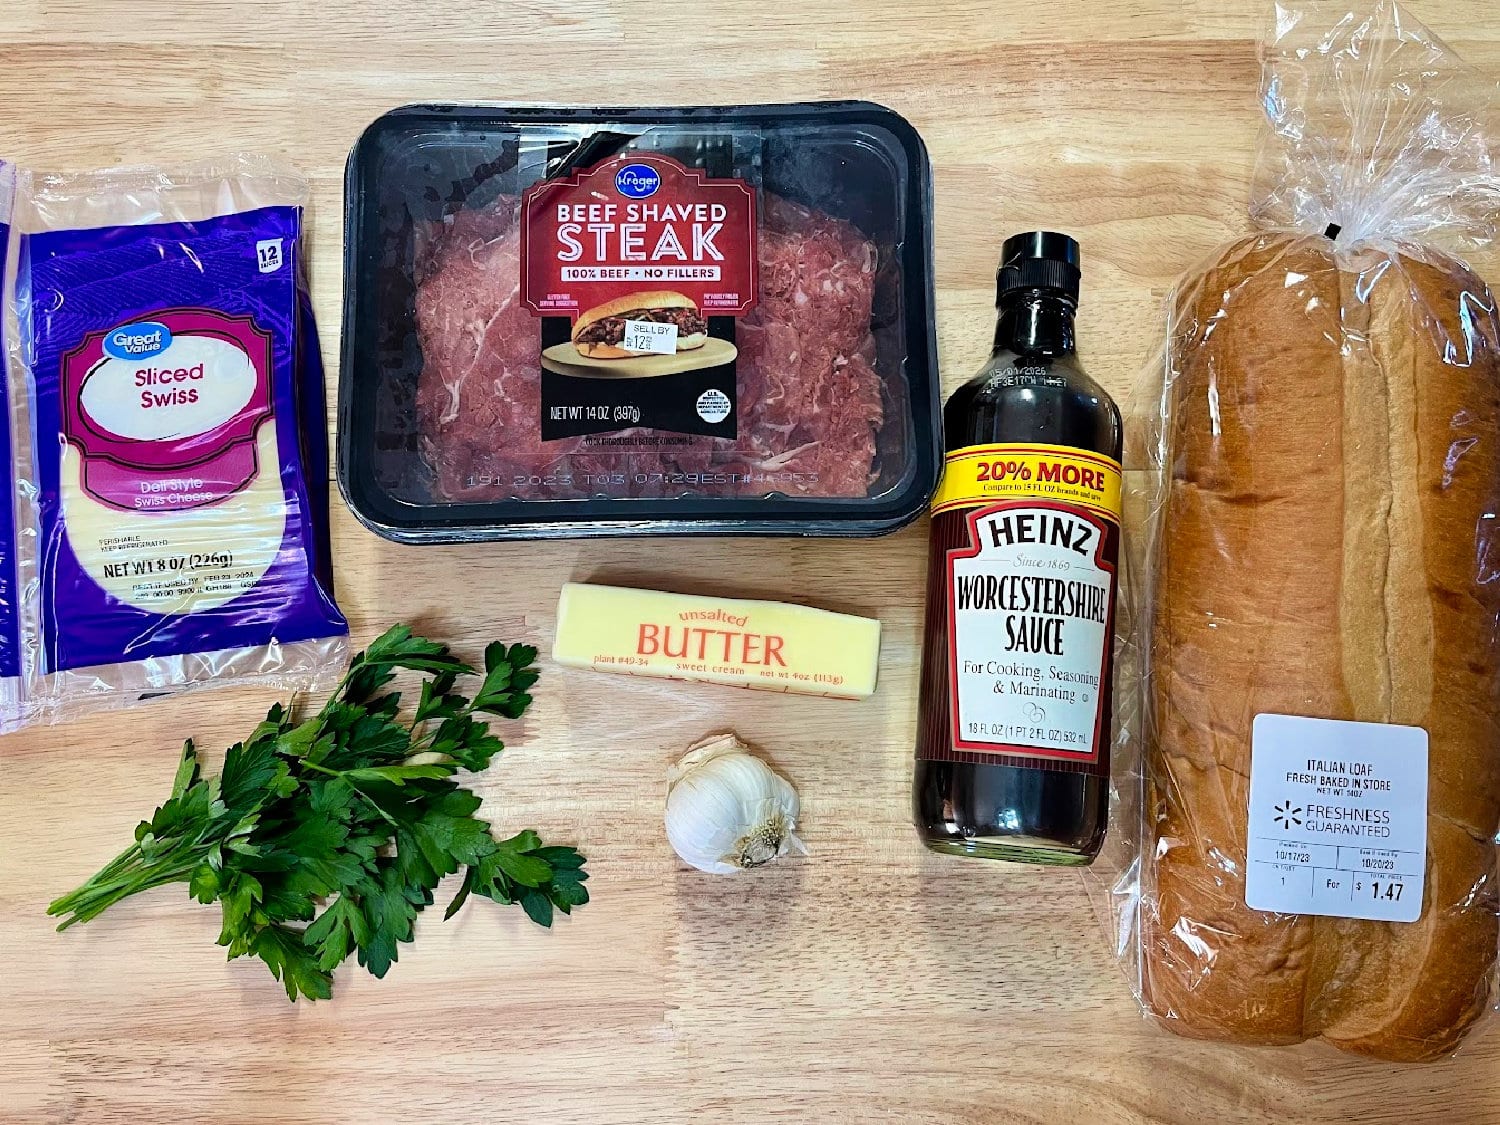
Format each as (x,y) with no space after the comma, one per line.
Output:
(169,424)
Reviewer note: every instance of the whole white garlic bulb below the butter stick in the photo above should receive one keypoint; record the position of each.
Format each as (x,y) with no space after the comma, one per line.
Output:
(728,811)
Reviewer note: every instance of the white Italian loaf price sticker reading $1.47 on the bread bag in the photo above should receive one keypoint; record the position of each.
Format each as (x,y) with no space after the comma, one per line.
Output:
(1337,818)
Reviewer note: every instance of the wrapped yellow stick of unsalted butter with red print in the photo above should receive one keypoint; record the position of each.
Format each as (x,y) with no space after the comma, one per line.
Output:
(719,641)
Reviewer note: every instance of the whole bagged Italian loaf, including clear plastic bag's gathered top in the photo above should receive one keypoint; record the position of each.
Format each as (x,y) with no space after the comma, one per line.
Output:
(1309,746)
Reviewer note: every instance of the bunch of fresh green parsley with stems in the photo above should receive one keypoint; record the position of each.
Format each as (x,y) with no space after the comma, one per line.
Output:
(353,811)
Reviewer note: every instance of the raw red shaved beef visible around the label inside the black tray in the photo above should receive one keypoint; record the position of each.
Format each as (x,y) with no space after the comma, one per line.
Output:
(811,404)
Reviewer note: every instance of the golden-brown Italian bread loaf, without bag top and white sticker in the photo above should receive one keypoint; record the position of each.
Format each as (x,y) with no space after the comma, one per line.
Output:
(1330,548)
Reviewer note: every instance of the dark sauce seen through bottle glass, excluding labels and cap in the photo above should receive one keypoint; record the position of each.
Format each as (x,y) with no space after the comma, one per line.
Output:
(1031,392)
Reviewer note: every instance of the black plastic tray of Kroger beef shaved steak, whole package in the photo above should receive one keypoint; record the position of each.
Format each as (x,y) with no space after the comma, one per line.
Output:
(623,322)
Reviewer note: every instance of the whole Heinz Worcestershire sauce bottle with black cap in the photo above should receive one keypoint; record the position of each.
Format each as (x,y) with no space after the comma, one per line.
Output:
(1015,719)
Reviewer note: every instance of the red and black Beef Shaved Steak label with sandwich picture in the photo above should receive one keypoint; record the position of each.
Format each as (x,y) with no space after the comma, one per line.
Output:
(638,269)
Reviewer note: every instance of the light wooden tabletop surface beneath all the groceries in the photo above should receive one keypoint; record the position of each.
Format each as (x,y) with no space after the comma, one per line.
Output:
(869,982)
